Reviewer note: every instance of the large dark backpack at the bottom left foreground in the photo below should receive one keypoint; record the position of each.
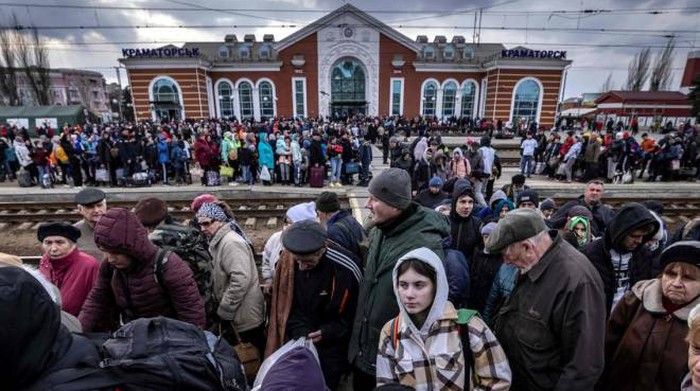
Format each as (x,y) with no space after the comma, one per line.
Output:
(167,354)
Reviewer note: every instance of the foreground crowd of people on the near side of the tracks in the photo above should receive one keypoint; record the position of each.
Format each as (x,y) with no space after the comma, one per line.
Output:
(433,291)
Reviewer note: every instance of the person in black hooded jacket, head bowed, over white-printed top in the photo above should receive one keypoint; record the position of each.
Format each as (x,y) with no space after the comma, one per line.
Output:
(620,255)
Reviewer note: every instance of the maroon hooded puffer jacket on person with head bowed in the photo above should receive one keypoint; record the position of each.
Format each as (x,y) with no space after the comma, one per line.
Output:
(176,296)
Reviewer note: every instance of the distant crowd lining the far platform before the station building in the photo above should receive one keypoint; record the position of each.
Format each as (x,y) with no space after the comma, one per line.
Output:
(286,151)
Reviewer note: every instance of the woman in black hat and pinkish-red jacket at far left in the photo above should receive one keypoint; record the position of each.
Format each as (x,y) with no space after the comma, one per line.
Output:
(64,265)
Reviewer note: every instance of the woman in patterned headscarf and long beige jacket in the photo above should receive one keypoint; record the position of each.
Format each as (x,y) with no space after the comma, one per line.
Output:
(236,286)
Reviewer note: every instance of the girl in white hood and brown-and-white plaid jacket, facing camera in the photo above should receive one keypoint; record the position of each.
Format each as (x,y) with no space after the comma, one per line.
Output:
(422,347)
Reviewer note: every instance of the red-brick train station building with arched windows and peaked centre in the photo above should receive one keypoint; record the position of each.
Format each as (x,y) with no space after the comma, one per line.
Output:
(346,62)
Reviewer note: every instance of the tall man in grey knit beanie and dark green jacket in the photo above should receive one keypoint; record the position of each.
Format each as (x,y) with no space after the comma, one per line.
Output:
(401,225)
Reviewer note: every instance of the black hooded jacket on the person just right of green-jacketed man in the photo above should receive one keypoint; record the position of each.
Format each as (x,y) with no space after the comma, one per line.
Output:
(465,230)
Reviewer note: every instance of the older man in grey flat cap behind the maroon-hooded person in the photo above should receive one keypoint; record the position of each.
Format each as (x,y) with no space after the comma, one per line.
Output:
(92,204)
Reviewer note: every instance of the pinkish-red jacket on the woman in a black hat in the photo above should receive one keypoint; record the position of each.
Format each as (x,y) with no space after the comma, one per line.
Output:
(75,275)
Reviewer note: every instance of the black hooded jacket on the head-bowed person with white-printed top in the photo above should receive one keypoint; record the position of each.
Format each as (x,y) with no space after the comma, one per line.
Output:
(630,217)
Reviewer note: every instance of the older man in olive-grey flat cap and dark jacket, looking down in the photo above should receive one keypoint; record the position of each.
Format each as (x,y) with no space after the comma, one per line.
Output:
(552,327)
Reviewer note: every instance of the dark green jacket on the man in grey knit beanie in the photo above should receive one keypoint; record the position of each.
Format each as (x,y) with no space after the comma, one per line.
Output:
(421,227)
